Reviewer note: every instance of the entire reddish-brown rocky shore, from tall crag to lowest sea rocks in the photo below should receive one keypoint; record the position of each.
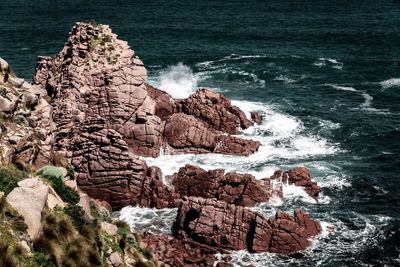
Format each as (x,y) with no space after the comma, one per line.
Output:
(90,110)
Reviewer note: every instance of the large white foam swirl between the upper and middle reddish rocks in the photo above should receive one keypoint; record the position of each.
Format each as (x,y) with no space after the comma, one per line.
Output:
(282,137)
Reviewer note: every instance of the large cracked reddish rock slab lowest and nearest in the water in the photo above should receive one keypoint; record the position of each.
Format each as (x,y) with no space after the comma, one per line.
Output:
(221,225)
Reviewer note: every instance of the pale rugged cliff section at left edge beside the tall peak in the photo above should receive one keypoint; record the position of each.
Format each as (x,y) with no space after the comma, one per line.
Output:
(26,126)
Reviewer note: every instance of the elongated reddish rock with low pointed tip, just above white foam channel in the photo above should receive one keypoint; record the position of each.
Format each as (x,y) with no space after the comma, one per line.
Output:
(186,134)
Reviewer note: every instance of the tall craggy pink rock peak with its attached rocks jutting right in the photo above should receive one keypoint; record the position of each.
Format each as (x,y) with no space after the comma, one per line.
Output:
(106,116)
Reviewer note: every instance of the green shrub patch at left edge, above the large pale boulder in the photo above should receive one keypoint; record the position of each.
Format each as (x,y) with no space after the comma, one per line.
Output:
(9,177)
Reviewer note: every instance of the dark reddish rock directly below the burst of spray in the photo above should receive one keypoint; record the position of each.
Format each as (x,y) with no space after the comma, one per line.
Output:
(214,109)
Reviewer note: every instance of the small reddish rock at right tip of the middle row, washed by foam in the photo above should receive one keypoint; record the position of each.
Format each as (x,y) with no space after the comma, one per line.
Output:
(299,176)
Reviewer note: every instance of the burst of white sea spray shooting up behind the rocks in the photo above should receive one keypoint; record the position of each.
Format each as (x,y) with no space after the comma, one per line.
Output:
(178,81)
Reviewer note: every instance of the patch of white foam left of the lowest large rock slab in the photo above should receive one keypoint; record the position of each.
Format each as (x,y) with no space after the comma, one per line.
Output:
(156,221)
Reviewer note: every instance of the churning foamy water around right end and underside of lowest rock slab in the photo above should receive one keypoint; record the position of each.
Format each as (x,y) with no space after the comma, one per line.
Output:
(347,240)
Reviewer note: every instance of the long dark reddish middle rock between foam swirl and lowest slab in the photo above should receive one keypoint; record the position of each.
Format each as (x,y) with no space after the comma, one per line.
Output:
(233,188)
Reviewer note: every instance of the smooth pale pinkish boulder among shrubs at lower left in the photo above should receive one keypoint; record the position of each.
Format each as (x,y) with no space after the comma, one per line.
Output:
(29,200)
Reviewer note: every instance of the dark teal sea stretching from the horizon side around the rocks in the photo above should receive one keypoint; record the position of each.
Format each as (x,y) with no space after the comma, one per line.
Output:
(326,72)
